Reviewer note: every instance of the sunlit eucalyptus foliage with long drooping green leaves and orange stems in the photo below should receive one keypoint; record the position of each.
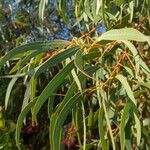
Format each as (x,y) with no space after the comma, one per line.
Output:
(91,92)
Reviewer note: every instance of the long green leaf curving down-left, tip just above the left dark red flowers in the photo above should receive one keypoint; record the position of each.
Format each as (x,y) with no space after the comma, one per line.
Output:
(51,87)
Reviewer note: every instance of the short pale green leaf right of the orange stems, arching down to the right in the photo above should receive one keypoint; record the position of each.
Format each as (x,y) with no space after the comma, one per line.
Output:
(127,87)
